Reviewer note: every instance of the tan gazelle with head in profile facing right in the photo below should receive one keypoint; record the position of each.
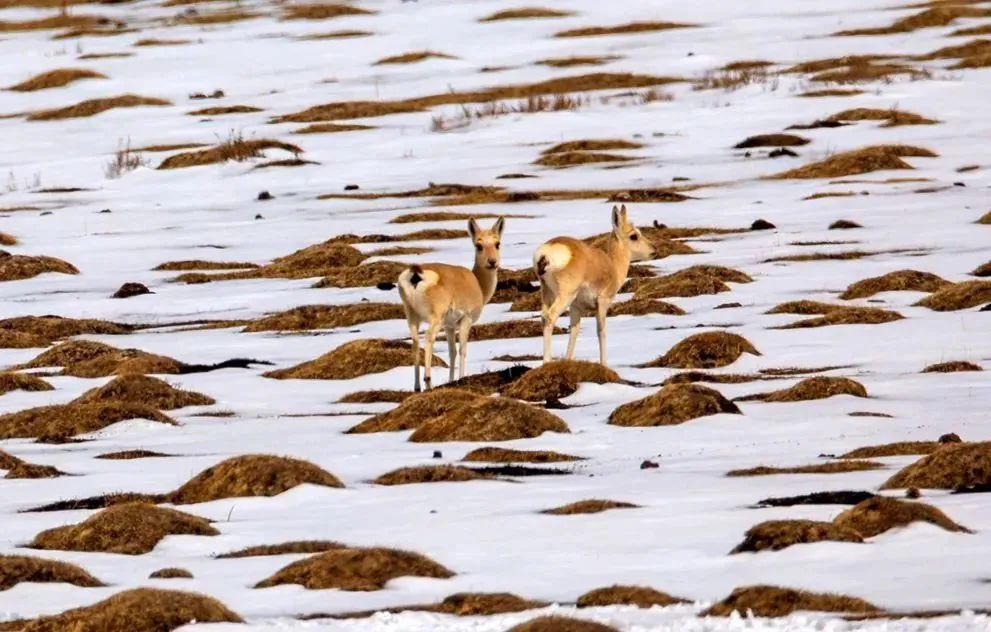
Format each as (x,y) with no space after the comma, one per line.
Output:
(585,279)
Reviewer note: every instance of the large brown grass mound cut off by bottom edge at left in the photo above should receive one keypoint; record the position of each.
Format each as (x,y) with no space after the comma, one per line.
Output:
(144,609)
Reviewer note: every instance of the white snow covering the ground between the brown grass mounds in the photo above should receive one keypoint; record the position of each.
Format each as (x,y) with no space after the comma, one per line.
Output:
(490,532)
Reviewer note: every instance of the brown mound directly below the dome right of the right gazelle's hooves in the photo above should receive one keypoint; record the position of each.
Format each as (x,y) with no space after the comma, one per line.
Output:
(673,404)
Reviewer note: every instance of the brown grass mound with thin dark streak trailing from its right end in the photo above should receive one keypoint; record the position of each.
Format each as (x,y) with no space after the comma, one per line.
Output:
(85,358)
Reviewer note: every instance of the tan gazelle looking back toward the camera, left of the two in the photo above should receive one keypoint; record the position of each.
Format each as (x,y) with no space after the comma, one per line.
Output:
(440,294)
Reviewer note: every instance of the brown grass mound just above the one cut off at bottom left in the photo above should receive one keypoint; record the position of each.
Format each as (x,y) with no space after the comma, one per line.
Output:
(129,529)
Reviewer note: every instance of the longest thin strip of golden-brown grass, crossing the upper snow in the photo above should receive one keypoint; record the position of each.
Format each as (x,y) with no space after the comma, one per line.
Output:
(561,85)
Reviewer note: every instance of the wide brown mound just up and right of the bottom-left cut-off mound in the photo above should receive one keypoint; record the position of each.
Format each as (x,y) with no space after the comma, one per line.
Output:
(356,569)
